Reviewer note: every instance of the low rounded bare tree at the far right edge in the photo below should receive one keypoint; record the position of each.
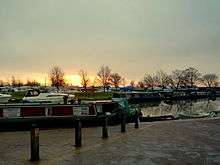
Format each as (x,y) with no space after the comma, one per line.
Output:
(209,80)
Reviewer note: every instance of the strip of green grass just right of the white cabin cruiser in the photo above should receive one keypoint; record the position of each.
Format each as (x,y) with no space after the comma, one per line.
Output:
(93,95)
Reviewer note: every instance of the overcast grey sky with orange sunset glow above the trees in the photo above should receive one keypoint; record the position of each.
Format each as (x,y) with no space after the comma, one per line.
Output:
(133,37)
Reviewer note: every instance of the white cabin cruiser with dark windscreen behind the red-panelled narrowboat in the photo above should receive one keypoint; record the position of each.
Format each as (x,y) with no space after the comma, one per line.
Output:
(34,96)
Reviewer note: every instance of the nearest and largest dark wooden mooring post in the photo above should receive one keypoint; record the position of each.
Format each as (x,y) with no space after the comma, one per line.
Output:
(34,143)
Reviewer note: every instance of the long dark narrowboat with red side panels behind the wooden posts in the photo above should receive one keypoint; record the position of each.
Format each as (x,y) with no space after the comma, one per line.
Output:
(21,116)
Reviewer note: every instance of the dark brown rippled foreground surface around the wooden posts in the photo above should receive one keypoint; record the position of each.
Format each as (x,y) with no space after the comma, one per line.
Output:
(166,142)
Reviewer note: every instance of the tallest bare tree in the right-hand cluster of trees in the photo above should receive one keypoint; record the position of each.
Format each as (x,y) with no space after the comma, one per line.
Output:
(192,75)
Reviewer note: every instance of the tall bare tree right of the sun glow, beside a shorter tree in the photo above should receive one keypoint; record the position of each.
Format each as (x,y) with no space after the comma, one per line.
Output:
(103,76)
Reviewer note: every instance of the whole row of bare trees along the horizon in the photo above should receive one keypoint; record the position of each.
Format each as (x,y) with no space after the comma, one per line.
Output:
(186,78)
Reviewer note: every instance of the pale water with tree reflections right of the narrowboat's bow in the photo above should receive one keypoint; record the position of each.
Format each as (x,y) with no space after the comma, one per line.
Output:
(177,107)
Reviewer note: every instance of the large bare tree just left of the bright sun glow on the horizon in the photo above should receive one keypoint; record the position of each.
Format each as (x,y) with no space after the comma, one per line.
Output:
(57,77)
